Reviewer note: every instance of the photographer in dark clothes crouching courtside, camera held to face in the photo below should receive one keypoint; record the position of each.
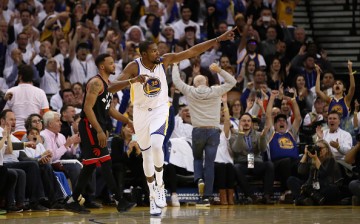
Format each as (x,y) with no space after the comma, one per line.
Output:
(323,173)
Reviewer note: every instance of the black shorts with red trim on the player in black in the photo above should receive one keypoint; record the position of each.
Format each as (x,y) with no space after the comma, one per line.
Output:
(91,152)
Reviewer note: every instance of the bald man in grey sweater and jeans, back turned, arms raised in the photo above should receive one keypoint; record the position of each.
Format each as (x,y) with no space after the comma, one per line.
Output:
(204,105)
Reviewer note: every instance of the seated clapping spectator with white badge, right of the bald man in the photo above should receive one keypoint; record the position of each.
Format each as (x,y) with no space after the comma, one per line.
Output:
(248,147)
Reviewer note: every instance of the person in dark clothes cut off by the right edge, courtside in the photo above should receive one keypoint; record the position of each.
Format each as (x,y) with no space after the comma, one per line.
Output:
(353,157)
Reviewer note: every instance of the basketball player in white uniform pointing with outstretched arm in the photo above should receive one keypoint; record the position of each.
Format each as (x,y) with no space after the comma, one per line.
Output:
(151,108)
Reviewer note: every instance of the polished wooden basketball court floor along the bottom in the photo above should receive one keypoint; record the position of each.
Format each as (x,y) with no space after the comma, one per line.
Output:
(191,214)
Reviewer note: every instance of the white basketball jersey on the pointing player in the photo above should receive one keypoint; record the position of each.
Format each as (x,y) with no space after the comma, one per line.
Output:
(154,92)
